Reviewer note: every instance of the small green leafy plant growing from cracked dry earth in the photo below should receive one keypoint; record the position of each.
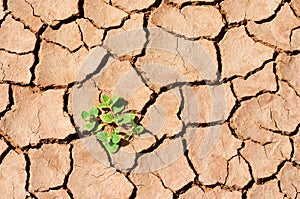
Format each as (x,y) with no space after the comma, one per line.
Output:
(110,124)
